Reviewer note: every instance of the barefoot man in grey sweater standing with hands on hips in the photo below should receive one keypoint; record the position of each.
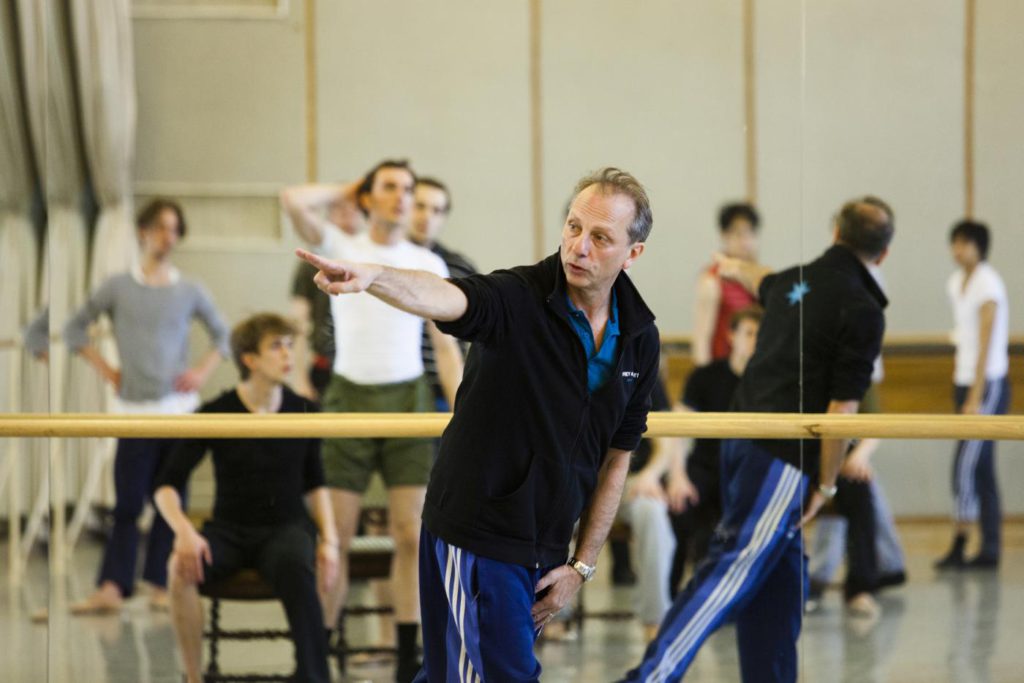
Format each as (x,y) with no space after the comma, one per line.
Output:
(152,309)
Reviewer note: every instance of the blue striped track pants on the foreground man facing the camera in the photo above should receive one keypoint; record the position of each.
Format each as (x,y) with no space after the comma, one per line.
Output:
(478,624)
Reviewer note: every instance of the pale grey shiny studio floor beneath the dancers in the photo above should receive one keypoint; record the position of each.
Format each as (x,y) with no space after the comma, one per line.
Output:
(959,628)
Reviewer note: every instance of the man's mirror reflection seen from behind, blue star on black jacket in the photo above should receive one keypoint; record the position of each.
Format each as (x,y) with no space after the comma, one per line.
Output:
(821,334)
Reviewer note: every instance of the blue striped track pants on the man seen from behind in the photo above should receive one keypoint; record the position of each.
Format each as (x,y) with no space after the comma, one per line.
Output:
(754,574)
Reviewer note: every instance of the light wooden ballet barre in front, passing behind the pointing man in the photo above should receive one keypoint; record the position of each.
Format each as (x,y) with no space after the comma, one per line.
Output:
(404,425)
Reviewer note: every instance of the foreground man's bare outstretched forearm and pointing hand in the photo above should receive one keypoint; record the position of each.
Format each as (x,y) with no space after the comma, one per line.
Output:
(416,292)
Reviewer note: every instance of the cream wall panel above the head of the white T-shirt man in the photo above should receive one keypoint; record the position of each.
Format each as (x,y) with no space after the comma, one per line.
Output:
(449,91)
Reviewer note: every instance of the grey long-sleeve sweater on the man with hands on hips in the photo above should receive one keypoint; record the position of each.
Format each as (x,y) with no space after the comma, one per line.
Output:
(151,328)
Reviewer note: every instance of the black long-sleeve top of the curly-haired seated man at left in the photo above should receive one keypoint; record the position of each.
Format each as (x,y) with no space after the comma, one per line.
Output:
(260,482)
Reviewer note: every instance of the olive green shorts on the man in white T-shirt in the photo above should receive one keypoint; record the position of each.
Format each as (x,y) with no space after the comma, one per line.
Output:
(349,463)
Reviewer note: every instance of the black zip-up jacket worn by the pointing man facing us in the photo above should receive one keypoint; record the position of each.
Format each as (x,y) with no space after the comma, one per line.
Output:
(521,458)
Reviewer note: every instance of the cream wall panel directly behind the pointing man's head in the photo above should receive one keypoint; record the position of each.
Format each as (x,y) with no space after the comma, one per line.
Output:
(660,94)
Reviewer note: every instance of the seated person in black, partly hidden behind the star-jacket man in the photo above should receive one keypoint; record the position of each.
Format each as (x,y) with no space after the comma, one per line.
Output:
(709,390)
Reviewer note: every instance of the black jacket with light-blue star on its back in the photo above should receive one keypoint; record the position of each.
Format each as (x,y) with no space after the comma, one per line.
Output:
(819,340)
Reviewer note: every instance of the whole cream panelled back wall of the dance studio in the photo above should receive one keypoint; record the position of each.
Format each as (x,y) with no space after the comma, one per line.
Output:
(872,102)
